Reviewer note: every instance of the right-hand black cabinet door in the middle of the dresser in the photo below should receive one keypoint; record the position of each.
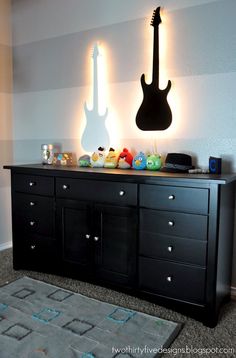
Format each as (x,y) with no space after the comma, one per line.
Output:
(115,237)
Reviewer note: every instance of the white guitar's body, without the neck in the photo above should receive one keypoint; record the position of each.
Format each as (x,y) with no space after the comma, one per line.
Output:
(95,133)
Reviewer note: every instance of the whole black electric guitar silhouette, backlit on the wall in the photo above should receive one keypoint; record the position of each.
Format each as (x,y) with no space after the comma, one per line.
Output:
(154,112)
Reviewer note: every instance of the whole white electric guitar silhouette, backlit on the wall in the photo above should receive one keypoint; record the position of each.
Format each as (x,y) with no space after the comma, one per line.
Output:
(95,133)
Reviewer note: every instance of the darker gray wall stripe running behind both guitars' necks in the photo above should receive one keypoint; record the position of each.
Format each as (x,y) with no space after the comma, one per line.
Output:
(195,47)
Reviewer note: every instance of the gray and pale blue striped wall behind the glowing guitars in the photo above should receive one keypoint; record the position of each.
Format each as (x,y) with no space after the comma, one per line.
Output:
(52,45)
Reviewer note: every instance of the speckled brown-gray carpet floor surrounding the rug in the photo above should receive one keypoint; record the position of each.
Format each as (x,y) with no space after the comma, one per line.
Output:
(193,334)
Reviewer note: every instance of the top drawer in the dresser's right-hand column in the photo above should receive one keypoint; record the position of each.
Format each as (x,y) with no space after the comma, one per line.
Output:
(163,197)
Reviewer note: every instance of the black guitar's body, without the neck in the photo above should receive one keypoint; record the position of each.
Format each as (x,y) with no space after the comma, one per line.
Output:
(154,112)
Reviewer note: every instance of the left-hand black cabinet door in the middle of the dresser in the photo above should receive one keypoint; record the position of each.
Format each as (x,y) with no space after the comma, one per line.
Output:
(75,225)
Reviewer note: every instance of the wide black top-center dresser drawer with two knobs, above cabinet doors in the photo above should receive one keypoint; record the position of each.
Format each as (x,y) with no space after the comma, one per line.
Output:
(98,191)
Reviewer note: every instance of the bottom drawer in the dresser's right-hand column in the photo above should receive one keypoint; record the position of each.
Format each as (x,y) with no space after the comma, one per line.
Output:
(173,280)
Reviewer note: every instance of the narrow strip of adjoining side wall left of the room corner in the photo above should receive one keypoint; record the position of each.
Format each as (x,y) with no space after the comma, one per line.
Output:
(6,147)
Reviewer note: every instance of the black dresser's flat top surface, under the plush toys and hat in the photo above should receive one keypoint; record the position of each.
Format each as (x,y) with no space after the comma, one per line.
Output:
(116,174)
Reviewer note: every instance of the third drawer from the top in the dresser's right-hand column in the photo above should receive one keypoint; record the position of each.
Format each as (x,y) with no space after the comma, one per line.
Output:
(172,248)
